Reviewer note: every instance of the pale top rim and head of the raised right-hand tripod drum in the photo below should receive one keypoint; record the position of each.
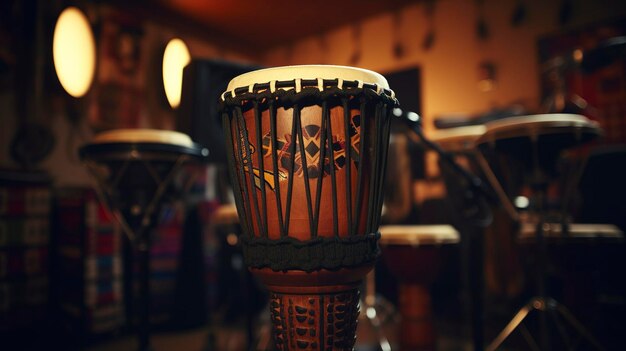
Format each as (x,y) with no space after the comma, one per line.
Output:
(514,127)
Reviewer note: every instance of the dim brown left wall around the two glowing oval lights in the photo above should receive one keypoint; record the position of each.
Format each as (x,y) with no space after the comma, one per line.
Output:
(63,163)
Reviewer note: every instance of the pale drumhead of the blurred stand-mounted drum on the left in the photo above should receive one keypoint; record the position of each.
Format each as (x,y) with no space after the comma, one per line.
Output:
(143,136)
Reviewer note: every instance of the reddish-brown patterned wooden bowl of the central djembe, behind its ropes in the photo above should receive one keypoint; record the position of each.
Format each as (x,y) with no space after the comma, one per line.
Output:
(300,220)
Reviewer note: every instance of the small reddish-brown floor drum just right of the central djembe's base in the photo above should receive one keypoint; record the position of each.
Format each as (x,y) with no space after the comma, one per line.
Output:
(414,253)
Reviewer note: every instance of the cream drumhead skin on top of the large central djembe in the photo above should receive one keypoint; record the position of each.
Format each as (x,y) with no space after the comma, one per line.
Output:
(307,72)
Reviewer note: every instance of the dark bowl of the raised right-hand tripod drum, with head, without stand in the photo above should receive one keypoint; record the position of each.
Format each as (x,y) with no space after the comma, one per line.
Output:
(524,150)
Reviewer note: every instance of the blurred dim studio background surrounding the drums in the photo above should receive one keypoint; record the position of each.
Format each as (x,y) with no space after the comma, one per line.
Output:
(67,277)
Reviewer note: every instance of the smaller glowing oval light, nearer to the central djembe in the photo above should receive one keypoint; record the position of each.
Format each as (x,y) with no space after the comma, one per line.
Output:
(175,58)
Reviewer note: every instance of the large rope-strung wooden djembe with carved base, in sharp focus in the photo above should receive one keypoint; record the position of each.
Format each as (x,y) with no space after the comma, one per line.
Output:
(308,147)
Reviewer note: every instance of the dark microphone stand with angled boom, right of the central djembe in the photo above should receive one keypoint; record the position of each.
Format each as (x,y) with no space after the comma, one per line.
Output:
(475,198)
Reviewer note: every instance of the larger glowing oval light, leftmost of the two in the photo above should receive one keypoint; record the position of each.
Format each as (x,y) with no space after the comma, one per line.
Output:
(74,52)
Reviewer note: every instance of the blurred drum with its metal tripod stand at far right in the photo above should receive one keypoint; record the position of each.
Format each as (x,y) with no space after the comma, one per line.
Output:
(524,151)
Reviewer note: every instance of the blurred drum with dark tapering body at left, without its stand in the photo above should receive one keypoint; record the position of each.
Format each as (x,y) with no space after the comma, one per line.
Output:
(134,169)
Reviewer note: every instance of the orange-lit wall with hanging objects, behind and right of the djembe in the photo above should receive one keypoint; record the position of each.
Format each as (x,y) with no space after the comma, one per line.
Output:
(450,67)
